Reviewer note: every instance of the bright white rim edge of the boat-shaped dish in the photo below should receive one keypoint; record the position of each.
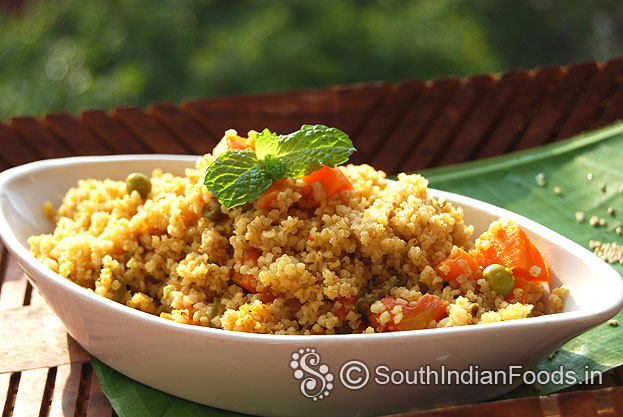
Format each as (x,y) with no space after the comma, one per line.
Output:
(581,319)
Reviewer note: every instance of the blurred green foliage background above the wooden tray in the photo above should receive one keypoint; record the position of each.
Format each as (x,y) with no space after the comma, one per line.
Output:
(78,54)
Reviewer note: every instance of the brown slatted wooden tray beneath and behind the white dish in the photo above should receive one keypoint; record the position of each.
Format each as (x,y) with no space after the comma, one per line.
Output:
(395,127)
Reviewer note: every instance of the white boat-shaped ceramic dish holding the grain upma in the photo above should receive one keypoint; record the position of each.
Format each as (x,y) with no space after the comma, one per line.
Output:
(256,373)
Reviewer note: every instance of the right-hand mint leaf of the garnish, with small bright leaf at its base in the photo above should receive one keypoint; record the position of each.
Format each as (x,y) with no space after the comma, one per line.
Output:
(305,150)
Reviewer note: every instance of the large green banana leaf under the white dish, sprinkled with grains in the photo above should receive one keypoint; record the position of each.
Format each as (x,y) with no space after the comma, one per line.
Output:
(588,169)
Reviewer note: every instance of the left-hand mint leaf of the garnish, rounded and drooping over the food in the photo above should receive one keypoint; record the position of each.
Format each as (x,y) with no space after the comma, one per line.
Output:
(237,177)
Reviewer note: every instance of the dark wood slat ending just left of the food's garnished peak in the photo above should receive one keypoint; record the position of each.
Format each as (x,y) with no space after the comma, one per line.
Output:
(184,127)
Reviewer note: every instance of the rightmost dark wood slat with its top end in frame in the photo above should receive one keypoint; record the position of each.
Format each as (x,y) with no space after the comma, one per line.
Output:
(556,105)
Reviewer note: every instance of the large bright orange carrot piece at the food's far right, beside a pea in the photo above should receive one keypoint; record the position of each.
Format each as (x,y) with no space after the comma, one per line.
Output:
(505,243)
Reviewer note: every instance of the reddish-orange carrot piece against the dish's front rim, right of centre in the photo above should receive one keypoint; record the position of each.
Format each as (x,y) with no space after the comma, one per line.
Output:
(415,317)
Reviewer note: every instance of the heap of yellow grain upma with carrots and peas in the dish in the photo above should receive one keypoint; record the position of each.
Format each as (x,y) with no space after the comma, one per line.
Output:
(342,250)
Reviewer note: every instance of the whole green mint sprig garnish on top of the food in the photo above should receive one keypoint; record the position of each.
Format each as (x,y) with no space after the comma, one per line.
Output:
(237,177)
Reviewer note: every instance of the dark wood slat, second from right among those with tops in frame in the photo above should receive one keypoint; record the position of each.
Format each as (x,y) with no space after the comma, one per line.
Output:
(520,111)
